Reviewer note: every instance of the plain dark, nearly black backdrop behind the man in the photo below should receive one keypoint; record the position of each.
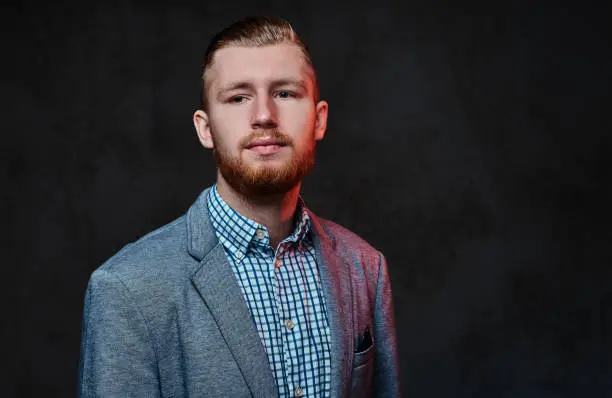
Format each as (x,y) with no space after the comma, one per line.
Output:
(470,144)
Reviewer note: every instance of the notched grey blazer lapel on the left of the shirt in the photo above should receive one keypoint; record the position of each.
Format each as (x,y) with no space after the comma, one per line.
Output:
(217,285)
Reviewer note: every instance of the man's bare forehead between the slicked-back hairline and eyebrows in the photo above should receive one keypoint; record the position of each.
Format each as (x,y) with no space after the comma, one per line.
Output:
(257,64)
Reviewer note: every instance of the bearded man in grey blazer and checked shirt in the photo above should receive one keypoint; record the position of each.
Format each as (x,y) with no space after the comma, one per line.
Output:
(249,293)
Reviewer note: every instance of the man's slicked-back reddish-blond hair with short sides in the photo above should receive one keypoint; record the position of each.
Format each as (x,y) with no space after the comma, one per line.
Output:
(254,31)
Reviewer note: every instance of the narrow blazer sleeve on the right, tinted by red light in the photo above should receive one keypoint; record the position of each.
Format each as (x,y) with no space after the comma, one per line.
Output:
(386,368)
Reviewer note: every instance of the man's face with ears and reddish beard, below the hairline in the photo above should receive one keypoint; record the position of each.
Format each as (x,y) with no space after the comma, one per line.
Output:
(262,122)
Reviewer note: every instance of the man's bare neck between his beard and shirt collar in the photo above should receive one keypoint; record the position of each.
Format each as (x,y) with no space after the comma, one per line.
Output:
(275,212)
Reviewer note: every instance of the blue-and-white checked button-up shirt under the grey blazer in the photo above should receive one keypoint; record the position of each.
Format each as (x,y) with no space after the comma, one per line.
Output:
(283,292)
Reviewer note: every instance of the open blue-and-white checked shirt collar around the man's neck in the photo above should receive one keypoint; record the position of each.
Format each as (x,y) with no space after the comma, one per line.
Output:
(237,232)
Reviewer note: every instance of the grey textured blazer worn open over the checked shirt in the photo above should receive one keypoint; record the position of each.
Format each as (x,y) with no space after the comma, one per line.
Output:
(165,317)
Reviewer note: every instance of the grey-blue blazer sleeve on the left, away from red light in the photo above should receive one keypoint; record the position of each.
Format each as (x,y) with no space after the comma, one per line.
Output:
(117,355)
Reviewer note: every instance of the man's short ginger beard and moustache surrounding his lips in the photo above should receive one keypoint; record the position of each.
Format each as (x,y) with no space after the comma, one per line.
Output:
(263,180)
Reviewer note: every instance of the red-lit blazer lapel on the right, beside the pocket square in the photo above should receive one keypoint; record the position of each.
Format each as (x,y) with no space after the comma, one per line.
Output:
(337,287)
